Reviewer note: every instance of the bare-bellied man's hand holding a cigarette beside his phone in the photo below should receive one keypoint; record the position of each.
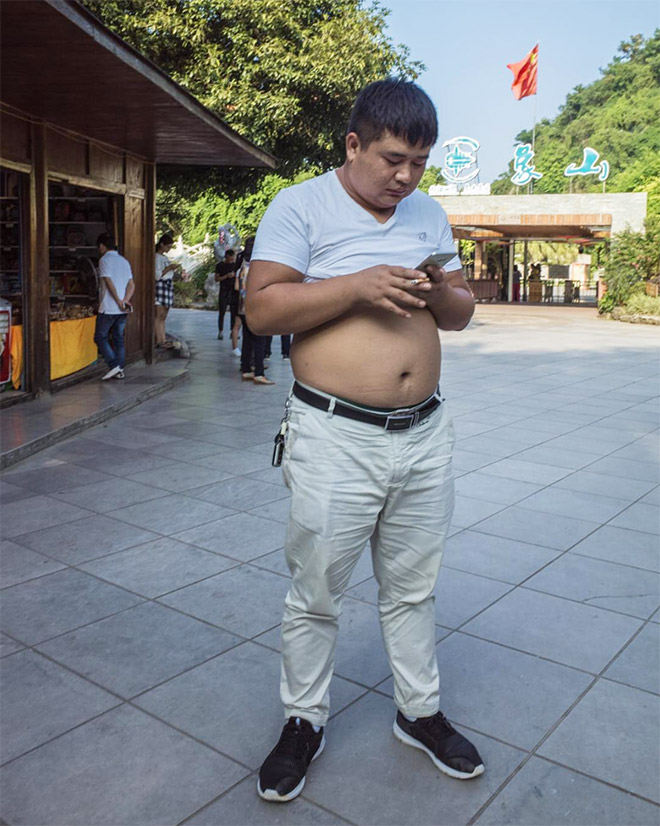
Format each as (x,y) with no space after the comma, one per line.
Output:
(387,288)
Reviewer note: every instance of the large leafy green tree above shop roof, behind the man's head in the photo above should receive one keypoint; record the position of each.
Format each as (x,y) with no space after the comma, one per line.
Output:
(283,74)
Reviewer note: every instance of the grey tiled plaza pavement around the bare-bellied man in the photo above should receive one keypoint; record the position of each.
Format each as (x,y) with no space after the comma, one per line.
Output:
(143,579)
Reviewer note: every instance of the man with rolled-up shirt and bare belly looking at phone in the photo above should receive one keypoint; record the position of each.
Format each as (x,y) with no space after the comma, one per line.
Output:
(366,442)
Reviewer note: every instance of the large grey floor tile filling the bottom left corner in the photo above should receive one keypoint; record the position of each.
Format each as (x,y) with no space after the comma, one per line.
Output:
(88,776)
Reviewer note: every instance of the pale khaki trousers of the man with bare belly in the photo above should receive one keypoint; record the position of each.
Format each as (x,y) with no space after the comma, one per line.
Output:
(351,482)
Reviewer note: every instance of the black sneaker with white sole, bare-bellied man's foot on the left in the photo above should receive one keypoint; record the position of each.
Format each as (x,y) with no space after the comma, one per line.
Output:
(282,776)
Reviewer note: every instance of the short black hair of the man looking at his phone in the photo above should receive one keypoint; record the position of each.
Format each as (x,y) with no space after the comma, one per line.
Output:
(395,106)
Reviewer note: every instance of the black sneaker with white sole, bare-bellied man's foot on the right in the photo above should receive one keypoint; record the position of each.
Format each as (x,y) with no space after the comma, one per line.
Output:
(452,753)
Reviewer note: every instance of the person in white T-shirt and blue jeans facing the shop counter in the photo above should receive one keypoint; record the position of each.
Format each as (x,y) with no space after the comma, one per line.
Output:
(117,288)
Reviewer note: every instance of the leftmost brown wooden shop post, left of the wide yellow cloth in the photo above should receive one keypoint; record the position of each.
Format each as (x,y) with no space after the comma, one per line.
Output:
(37,340)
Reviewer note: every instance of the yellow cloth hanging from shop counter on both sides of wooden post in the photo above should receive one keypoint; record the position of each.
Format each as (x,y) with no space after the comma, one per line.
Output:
(72,347)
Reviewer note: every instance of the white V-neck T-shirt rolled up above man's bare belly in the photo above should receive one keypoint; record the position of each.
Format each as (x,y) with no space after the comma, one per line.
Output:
(317,228)
